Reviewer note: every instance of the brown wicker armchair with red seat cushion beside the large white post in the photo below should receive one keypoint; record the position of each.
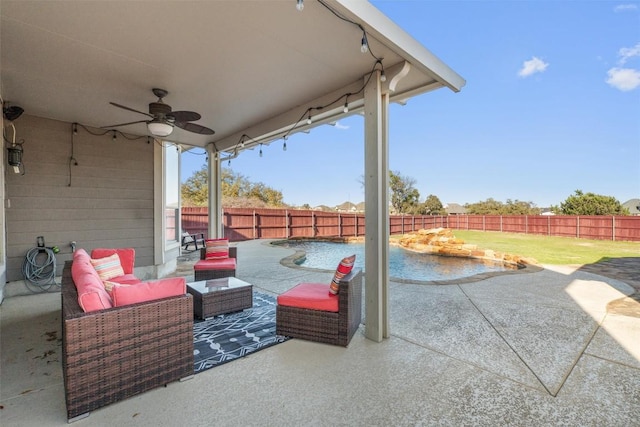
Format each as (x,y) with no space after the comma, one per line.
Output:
(308,311)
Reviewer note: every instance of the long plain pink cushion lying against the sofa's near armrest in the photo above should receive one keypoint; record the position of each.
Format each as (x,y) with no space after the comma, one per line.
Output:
(148,291)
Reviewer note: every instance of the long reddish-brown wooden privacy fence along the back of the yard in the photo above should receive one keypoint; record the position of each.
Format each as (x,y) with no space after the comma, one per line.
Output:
(247,224)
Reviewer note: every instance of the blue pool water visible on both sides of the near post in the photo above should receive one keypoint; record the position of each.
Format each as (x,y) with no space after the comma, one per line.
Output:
(403,264)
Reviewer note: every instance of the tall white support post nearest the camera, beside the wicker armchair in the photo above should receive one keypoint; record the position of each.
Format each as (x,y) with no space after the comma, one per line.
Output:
(376,170)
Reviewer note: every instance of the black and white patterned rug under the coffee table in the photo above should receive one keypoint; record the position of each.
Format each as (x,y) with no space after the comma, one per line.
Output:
(224,338)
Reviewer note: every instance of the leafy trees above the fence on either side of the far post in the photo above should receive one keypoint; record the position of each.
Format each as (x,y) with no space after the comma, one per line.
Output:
(237,191)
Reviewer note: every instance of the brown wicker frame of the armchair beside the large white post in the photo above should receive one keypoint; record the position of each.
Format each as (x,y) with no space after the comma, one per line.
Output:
(326,326)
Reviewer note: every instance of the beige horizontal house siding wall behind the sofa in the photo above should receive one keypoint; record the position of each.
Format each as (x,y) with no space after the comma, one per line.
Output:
(106,200)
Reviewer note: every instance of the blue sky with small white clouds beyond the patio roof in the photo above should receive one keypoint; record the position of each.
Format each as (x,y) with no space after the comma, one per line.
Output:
(551,105)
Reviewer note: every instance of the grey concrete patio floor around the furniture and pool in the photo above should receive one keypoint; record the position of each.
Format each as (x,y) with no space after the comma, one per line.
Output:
(524,349)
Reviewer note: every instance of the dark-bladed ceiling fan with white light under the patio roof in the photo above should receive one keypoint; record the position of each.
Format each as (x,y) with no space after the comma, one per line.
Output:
(163,119)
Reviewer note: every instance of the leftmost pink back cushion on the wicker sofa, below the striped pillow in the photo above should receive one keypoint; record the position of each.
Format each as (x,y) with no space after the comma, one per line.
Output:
(92,295)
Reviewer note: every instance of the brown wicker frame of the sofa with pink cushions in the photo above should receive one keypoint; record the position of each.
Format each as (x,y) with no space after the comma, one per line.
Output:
(115,353)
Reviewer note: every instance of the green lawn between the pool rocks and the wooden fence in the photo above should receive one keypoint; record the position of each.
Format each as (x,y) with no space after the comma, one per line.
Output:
(548,249)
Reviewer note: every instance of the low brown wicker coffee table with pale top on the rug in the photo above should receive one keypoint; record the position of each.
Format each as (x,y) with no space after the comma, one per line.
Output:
(219,296)
